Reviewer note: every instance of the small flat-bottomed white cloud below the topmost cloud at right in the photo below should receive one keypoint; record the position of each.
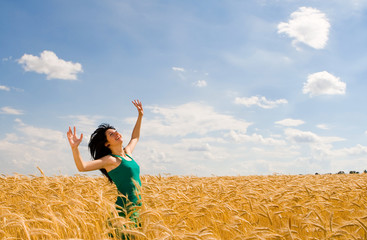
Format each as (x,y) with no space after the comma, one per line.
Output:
(323,83)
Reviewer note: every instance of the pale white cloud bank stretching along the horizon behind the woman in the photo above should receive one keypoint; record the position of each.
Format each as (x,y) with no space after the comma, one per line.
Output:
(178,139)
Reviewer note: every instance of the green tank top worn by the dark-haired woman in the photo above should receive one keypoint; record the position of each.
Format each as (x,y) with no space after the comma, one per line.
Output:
(124,176)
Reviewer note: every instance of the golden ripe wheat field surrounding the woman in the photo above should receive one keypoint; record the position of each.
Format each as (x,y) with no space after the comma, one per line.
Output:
(187,207)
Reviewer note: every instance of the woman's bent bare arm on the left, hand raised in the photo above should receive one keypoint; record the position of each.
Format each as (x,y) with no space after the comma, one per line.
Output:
(82,166)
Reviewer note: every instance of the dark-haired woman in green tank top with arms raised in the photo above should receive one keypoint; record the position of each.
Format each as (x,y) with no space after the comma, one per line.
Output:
(114,161)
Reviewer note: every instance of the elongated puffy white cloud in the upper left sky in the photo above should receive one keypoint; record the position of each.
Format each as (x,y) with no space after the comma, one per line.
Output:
(48,63)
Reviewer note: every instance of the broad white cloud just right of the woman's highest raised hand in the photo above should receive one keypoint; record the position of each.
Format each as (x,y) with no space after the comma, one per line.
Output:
(189,118)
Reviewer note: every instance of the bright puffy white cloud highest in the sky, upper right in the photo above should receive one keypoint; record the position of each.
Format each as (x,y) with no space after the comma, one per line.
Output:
(307,25)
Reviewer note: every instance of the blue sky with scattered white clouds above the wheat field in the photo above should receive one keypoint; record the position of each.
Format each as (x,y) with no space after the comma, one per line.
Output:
(228,87)
